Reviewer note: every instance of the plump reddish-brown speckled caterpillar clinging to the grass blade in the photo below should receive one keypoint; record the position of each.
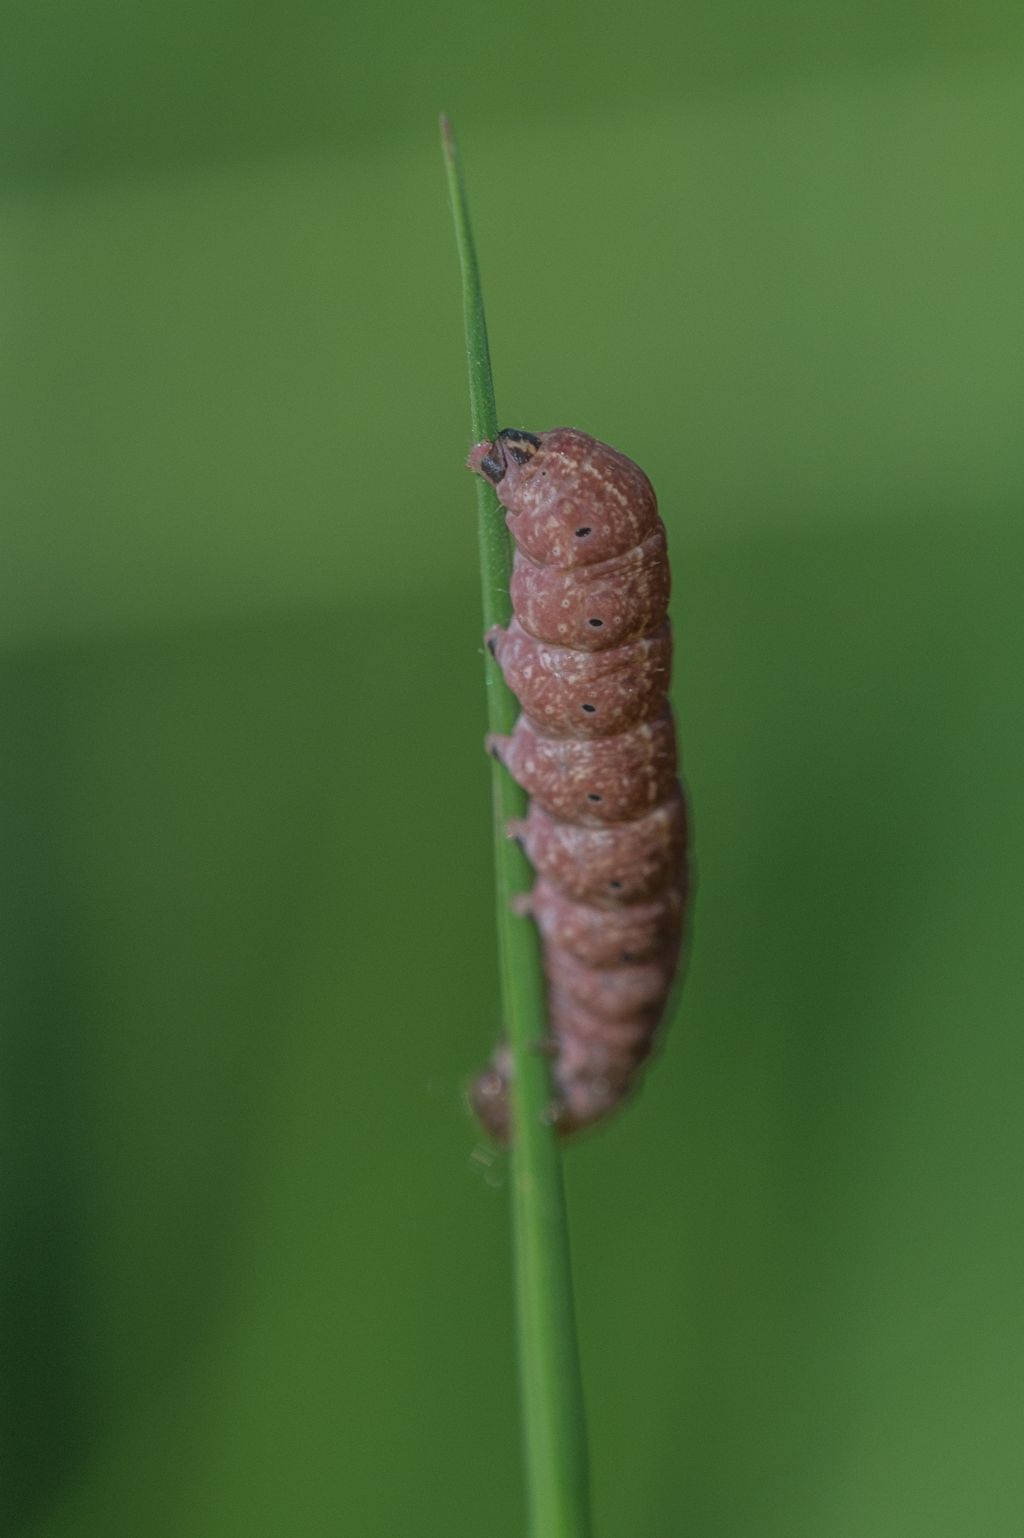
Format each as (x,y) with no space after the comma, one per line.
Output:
(588,654)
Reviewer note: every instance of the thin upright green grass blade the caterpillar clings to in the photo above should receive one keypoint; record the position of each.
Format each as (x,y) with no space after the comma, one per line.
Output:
(550,1367)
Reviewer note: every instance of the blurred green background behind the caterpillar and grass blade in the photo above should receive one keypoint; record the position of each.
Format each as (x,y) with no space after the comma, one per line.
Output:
(256,1270)
